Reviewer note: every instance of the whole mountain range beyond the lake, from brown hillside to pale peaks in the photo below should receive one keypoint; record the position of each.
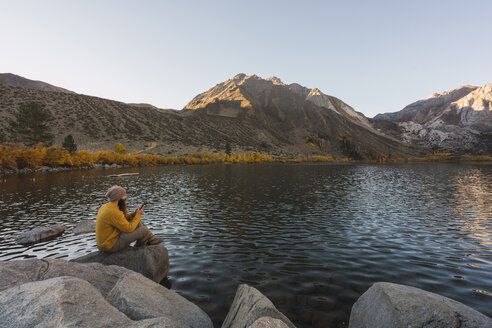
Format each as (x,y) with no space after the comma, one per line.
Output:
(254,114)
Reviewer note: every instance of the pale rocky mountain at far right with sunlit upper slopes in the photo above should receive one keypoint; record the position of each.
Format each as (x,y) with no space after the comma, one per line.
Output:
(459,121)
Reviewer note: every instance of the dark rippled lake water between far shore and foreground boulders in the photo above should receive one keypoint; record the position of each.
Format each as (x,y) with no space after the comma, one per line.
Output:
(311,237)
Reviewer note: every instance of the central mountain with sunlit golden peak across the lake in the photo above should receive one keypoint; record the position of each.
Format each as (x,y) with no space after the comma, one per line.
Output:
(294,117)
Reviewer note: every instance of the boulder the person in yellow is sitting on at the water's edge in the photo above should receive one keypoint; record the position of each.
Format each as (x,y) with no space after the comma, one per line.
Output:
(151,261)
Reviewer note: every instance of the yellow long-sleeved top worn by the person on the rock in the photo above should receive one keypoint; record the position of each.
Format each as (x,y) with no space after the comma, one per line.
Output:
(110,221)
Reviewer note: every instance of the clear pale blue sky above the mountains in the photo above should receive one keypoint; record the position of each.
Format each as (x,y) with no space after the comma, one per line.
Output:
(377,56)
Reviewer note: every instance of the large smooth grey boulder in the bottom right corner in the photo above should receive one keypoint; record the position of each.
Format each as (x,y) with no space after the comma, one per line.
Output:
(392,305)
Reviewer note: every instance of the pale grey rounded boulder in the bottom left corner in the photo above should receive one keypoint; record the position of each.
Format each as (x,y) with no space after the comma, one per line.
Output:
(57,302)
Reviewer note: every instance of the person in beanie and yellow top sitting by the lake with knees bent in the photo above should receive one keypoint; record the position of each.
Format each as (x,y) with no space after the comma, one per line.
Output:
(116,229)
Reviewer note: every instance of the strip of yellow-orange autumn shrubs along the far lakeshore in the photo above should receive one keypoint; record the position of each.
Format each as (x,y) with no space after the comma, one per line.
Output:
(22,159)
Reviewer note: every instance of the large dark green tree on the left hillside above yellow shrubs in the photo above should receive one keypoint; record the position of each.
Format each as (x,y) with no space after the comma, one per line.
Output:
(29,124)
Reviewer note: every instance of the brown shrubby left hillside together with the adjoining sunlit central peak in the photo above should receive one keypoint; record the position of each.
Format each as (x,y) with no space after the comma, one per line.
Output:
(247,112)
